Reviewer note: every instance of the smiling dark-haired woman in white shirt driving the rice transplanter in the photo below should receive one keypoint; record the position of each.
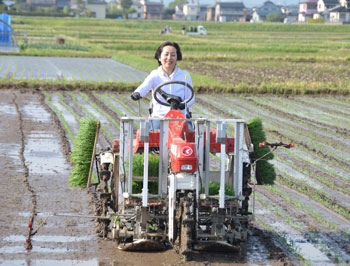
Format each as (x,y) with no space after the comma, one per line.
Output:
(167,56)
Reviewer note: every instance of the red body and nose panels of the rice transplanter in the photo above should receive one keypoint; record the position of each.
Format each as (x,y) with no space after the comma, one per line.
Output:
(181,142)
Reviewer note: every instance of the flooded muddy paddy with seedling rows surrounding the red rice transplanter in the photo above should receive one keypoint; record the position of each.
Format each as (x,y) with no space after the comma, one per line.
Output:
(303,218)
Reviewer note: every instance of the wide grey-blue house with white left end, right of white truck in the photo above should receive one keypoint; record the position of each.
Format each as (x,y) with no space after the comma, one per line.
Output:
(229,11)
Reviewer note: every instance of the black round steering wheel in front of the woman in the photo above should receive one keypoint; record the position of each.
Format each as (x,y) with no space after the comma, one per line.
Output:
(171,99)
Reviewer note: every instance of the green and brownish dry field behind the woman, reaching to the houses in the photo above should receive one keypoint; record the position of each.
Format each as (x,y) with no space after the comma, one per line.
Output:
(233,57)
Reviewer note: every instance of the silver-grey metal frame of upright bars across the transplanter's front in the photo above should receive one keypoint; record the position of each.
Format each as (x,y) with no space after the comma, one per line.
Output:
(202,125)
